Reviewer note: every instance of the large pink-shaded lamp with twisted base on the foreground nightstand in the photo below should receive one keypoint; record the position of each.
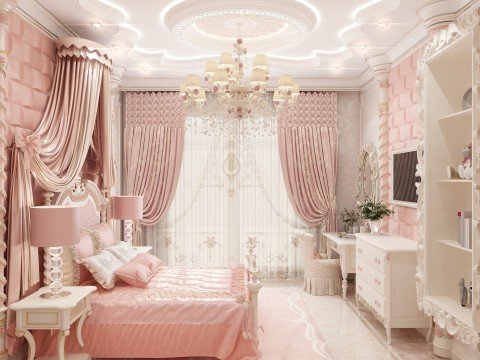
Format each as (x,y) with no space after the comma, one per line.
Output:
(54,227)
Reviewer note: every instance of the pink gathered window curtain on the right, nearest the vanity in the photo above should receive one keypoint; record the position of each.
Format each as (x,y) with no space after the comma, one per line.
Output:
(307,135)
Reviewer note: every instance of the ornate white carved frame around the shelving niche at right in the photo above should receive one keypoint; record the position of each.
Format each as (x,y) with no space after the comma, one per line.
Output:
(466,23)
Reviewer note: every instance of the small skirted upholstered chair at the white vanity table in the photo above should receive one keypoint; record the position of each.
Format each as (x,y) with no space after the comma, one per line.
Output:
(322,276)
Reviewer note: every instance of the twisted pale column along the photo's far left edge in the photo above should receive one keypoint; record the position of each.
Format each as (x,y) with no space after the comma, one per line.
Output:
(5,7)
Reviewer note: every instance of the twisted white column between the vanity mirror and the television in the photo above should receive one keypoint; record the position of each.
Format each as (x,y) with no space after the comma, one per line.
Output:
(380,66)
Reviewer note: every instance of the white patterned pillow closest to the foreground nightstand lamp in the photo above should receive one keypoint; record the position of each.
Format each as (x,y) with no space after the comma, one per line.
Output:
(102,267)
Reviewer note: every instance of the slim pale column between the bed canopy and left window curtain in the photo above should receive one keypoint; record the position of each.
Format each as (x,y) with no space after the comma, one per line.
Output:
(117,139)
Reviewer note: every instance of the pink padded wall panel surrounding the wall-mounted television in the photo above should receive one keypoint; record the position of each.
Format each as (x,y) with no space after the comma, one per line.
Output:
(403,133)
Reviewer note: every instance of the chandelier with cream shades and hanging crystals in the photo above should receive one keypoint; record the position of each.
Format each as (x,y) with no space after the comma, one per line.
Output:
(231,104)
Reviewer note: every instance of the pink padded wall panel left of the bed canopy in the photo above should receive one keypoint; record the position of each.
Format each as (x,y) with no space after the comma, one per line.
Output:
(31,56)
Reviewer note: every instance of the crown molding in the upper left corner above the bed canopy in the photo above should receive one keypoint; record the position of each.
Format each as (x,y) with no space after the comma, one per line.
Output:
(37,14)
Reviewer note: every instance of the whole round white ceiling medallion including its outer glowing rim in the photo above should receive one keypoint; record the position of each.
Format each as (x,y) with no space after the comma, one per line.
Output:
(214,24)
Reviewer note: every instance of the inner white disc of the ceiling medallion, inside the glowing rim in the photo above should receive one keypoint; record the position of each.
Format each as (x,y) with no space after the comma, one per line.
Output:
(264,29)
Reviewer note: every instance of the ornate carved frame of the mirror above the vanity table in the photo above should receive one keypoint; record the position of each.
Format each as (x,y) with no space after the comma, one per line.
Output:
(367,157)
